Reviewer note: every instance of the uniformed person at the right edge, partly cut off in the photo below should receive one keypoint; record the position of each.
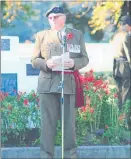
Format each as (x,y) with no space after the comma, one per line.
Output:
(122,60)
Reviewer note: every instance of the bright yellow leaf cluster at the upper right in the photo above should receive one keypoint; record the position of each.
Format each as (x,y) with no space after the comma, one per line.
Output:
(104,15)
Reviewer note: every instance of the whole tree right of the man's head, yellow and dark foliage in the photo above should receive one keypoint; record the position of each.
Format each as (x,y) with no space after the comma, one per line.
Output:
(96,17)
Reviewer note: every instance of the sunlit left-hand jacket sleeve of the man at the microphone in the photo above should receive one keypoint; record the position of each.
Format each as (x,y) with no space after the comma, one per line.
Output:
(36,60)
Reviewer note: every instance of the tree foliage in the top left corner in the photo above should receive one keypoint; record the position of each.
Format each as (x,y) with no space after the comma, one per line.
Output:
(11,10)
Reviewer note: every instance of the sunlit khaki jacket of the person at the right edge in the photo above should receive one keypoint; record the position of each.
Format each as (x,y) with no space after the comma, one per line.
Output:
(121,45)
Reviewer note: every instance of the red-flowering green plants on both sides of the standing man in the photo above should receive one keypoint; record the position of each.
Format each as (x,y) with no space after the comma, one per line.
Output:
(99,119)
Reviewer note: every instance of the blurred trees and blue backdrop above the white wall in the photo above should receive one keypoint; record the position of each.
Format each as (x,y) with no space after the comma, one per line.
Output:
(98,20)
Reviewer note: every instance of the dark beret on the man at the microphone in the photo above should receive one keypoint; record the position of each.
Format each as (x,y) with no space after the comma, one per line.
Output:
(55,10)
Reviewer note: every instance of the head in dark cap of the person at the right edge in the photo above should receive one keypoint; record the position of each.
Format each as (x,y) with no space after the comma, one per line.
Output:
(126,22)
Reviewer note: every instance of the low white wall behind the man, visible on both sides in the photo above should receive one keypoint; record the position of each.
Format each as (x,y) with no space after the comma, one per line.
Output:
(15,59)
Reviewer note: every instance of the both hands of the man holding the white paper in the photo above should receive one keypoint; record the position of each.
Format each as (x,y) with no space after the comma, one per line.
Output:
(51,63)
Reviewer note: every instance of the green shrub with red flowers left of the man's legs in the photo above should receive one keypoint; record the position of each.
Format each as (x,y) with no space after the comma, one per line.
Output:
(17,112)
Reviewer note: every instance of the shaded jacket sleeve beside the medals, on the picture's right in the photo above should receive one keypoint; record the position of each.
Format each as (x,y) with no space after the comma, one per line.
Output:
(83,60)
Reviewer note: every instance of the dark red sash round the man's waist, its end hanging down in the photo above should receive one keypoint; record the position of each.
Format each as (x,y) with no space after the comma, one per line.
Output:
(79,88)
